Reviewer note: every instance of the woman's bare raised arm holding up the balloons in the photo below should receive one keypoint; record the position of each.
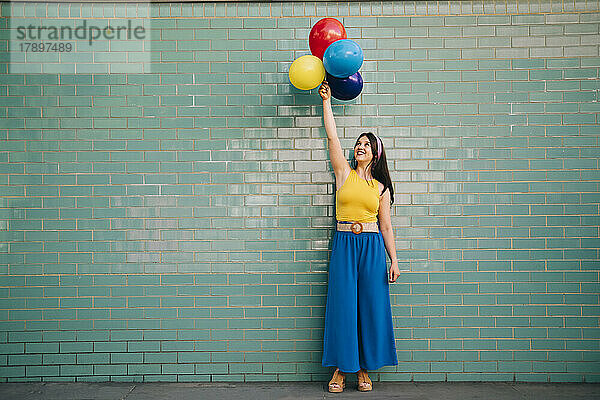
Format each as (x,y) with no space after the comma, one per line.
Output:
(340,165)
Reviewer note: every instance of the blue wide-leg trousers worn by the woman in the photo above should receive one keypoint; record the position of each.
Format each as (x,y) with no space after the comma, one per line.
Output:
(358,318)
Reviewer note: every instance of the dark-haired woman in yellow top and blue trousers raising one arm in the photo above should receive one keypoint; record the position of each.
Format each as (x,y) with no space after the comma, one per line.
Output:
(358,332)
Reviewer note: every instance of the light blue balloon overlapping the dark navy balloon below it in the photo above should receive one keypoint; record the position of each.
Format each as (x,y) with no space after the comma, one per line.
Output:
(343,58)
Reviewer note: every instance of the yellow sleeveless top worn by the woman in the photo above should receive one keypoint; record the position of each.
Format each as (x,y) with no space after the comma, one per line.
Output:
(357,200)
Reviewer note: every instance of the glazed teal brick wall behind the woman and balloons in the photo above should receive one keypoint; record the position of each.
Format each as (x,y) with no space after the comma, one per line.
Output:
(174,224)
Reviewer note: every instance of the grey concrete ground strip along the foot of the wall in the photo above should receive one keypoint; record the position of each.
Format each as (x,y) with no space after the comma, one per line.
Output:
(297,390)
